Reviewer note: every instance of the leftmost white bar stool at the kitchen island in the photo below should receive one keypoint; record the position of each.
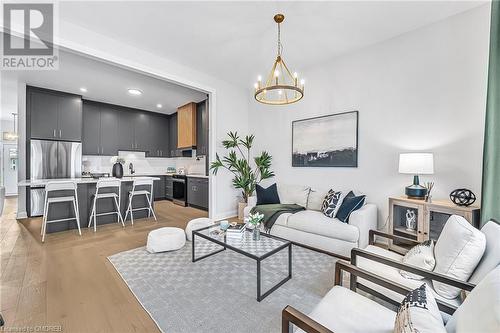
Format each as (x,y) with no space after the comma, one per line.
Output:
(60,186)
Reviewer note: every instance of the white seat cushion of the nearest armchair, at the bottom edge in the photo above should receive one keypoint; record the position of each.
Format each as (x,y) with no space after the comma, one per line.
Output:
(342,310)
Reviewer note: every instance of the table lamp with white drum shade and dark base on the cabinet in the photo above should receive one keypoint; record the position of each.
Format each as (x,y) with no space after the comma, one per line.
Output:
(416,164)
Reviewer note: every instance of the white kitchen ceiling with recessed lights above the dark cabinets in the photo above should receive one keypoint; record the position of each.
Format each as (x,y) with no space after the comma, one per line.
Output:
(109,83)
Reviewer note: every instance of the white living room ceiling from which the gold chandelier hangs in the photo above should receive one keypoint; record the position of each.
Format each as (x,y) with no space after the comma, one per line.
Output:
(236,41)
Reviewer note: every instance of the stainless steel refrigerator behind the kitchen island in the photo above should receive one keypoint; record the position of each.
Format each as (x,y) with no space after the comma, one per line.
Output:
(52,160)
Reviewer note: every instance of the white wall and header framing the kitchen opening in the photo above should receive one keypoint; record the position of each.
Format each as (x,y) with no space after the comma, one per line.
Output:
(229,103)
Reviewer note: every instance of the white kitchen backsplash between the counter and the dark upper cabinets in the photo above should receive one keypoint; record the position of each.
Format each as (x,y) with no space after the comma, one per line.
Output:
(142,164)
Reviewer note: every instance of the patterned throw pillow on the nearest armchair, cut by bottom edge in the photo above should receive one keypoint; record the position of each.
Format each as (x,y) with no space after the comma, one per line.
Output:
(419,313)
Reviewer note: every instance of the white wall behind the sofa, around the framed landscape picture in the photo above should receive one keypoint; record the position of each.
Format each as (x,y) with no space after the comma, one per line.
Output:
(422,91)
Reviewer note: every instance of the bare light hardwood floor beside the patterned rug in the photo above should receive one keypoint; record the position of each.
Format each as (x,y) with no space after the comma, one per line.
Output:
(68,280)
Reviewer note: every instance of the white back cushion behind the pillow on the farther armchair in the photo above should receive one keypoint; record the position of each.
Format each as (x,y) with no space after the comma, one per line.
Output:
(491,256)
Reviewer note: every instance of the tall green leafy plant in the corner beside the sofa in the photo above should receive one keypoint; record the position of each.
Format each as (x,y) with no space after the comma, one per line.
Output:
(238,161)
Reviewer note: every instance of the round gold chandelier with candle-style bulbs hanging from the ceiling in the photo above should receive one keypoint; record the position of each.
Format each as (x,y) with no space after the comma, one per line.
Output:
(281,86)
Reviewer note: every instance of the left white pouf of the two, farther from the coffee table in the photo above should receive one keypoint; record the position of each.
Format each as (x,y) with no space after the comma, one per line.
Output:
(165,239)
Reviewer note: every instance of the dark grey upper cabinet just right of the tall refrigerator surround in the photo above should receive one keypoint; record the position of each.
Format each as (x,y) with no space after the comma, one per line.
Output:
(100,129)
